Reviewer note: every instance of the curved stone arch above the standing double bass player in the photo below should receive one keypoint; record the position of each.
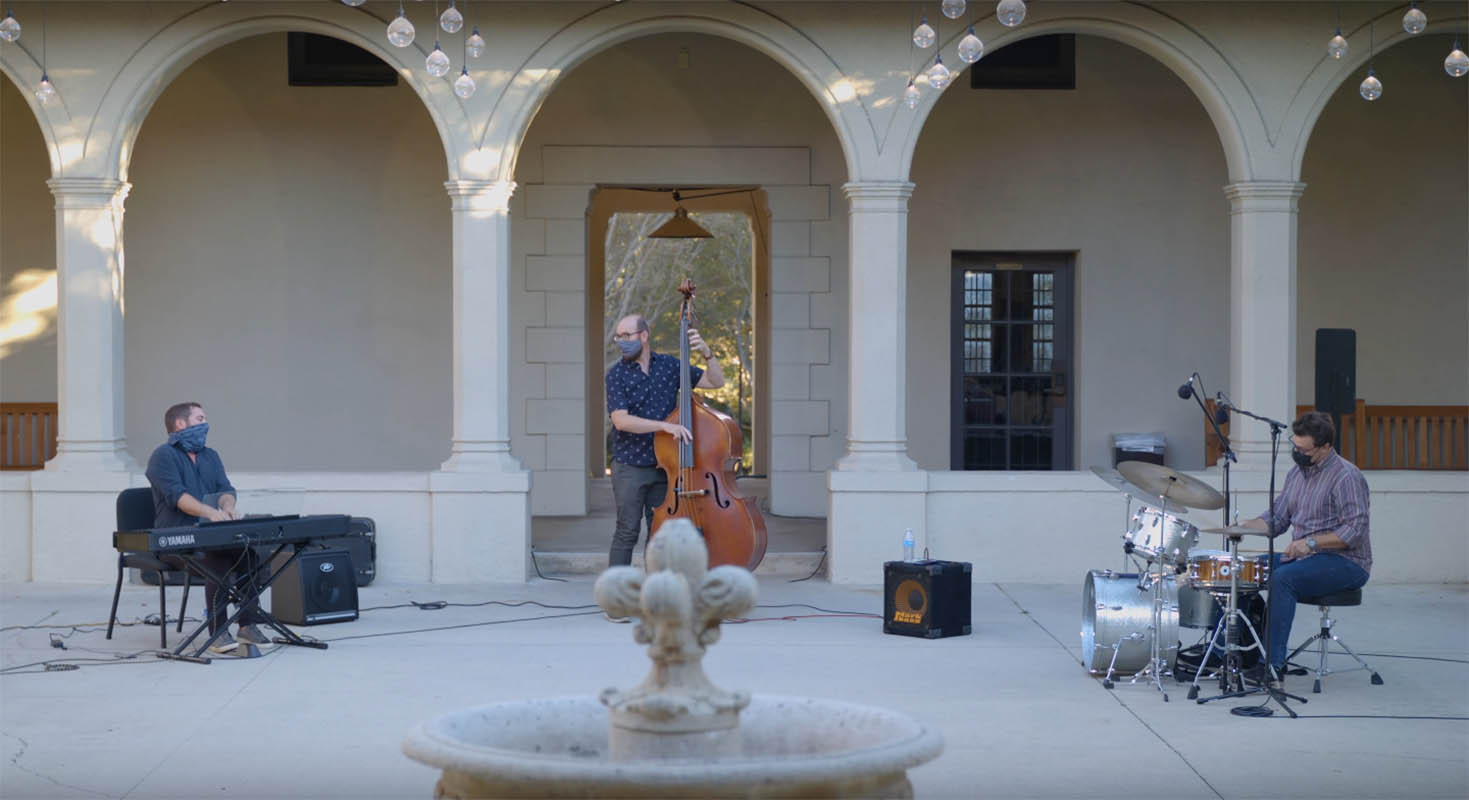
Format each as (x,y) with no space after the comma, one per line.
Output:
(597,32)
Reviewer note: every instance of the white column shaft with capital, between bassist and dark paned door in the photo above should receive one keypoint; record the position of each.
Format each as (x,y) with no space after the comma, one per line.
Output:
(878,407)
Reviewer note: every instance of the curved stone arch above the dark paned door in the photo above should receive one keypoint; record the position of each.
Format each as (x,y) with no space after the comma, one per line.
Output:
(1188,55)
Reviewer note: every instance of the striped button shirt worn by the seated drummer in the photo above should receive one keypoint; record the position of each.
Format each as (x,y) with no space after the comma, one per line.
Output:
(1329,497)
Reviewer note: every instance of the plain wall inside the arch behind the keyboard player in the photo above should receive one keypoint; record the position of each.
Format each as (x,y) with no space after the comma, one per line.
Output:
(289,266)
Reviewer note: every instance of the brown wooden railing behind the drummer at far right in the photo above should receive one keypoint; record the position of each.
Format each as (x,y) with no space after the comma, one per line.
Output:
(1390,437)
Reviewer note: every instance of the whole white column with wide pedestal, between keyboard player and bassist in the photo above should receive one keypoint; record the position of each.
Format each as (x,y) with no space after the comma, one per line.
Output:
(481,497)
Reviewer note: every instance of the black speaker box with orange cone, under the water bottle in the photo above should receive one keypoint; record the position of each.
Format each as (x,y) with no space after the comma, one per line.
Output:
(929,600)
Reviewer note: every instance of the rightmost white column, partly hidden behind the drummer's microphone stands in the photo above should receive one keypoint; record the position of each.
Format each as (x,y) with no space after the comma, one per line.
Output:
(1263,312)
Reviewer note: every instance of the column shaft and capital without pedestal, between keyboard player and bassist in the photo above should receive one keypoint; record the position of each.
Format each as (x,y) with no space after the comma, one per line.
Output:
(481,327)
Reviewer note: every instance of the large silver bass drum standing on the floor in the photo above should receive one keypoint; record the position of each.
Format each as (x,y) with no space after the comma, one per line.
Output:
(1117,616)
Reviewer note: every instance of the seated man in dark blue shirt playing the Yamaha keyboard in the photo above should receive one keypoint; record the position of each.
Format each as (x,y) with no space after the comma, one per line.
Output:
(190,485)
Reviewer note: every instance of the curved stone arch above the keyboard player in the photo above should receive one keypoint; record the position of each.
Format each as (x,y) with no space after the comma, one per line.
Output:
(168,54)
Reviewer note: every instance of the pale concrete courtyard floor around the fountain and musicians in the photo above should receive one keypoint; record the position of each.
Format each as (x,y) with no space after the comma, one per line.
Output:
(1020,716)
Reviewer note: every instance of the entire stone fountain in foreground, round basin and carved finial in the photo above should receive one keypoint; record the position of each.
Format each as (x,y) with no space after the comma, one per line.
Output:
(675,735)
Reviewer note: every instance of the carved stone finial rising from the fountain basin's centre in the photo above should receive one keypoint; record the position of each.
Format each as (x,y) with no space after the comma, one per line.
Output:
(681,604)
